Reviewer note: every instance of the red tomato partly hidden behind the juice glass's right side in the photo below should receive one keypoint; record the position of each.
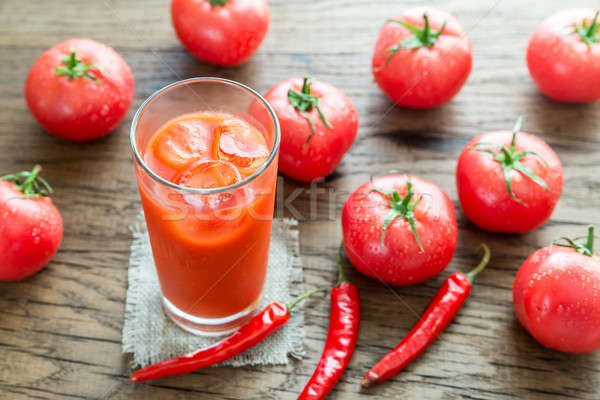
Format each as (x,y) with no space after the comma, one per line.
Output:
(318,126)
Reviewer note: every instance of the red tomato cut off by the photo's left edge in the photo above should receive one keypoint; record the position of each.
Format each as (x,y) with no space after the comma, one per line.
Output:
(31,228)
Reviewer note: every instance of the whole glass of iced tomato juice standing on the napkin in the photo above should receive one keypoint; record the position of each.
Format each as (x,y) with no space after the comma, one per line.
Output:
(205,152)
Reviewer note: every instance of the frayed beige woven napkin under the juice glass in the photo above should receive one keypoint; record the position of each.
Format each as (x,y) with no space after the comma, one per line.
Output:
(150,336)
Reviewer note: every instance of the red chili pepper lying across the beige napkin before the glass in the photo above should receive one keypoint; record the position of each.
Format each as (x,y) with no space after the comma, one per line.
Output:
(269,320)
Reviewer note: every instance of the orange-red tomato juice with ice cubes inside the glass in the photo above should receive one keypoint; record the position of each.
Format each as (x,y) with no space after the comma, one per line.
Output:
(210,246)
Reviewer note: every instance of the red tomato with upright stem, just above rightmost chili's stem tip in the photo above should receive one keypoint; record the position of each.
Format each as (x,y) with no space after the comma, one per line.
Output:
(482,184)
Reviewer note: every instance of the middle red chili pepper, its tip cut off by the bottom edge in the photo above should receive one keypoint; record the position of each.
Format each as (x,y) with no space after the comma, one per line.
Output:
(344,324)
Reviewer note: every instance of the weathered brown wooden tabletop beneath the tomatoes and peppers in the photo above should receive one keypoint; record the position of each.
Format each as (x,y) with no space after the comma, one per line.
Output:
(60,331)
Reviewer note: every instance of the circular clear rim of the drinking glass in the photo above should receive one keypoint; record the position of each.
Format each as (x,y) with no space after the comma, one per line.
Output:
(159,179)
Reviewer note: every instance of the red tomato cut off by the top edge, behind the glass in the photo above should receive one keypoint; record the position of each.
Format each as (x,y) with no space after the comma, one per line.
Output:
(222,32)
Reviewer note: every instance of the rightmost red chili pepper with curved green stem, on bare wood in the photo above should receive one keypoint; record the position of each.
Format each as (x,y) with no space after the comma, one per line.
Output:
(442,309)
